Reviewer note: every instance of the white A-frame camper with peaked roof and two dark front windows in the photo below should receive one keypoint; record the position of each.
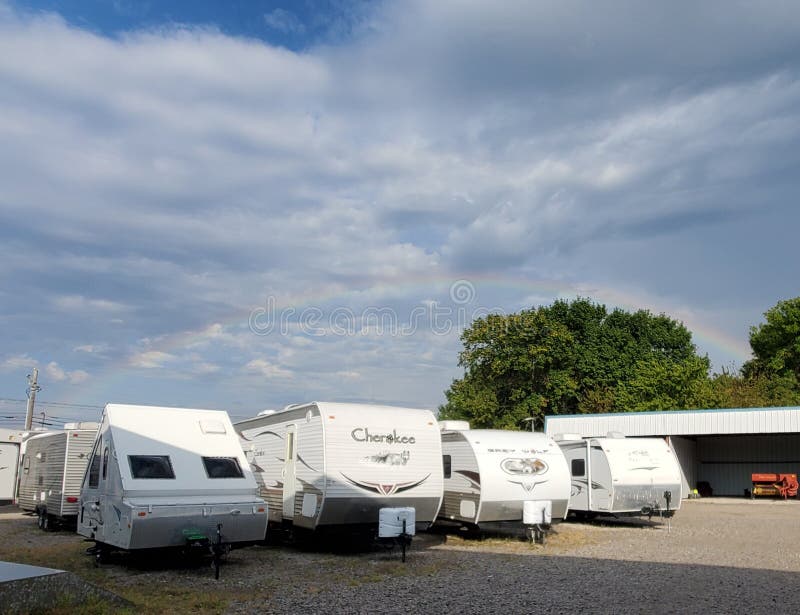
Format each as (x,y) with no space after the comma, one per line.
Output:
(165,477)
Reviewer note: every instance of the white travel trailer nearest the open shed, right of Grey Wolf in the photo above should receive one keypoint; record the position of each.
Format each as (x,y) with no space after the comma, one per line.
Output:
(616,475)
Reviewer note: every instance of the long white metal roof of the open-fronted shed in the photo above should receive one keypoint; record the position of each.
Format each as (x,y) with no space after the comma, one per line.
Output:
(679,422)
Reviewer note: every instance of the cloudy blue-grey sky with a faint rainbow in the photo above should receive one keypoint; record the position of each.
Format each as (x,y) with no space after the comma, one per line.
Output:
(247,204)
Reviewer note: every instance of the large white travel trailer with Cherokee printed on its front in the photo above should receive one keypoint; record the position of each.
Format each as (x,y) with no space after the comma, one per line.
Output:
(326,465)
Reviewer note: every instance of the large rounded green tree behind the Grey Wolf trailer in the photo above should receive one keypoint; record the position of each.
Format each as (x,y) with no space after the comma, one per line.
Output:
(573,356)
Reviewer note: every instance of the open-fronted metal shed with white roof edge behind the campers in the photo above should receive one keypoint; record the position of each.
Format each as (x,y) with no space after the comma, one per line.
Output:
(719,447)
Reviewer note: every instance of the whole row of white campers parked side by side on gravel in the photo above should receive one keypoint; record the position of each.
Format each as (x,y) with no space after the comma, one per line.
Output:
(153,477)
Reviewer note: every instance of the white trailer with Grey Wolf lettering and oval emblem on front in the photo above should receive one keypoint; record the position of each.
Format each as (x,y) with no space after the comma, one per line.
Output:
(489,474)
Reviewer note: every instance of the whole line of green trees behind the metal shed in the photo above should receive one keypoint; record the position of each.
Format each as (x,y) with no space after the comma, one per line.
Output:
(576,357)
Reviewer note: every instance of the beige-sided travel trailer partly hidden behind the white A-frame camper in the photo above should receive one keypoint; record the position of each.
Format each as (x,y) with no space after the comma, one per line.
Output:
(53,465)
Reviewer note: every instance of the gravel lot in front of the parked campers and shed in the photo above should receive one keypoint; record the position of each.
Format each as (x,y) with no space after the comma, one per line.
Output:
(716,555)
